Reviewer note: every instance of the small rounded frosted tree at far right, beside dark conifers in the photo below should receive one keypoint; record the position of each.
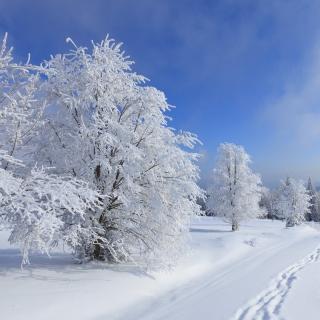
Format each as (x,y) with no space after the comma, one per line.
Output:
(293,201)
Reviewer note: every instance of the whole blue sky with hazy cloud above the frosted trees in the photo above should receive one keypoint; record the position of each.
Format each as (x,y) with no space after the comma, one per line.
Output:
(245,71)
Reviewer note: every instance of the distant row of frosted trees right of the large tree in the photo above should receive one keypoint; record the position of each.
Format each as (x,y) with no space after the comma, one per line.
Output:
(236,193)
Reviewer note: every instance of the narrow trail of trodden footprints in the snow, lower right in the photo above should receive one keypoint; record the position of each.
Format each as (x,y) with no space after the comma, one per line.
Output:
(267,305)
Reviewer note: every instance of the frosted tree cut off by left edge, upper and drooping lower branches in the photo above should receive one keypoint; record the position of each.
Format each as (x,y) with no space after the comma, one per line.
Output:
(37,206)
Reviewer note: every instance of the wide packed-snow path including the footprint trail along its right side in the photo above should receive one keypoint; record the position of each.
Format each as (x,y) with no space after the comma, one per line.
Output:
(222,290)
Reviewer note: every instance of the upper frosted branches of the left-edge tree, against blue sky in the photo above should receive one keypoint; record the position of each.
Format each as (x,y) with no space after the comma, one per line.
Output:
(20,107)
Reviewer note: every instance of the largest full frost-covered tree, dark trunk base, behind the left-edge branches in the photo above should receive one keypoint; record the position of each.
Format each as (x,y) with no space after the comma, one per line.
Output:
(105,126)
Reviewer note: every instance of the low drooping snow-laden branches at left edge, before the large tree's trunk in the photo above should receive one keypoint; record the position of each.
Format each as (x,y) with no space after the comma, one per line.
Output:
(43,209)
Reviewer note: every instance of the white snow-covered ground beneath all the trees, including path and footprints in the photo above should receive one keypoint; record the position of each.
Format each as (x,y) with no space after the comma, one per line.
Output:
(264,271)
